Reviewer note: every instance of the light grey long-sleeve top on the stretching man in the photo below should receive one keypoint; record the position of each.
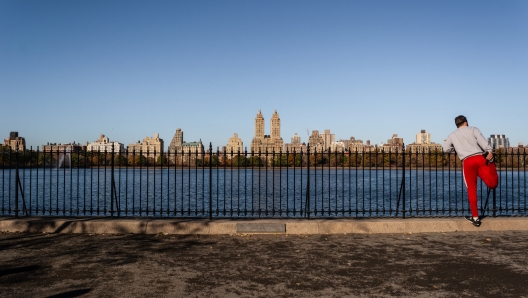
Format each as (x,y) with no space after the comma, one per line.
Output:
(466,141)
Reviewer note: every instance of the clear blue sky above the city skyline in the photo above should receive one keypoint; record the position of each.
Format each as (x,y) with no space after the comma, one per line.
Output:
(72,70)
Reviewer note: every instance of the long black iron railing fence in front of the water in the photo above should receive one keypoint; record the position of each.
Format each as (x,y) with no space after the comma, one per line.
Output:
(213,184)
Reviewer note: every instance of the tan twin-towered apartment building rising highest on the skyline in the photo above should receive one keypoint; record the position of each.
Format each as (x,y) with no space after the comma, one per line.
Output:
(267,143)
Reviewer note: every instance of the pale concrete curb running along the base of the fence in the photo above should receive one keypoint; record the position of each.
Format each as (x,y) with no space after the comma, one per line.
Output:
(256,226)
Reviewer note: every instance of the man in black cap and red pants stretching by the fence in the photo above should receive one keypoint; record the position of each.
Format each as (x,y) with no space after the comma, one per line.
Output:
(477,161)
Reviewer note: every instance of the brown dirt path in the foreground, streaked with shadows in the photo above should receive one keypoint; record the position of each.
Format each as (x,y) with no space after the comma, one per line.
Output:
(487,264)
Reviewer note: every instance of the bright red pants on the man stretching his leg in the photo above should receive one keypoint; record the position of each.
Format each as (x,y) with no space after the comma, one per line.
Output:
(474,166)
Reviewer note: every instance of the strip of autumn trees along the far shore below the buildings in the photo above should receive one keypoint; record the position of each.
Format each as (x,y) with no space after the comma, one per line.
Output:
(437,159)
